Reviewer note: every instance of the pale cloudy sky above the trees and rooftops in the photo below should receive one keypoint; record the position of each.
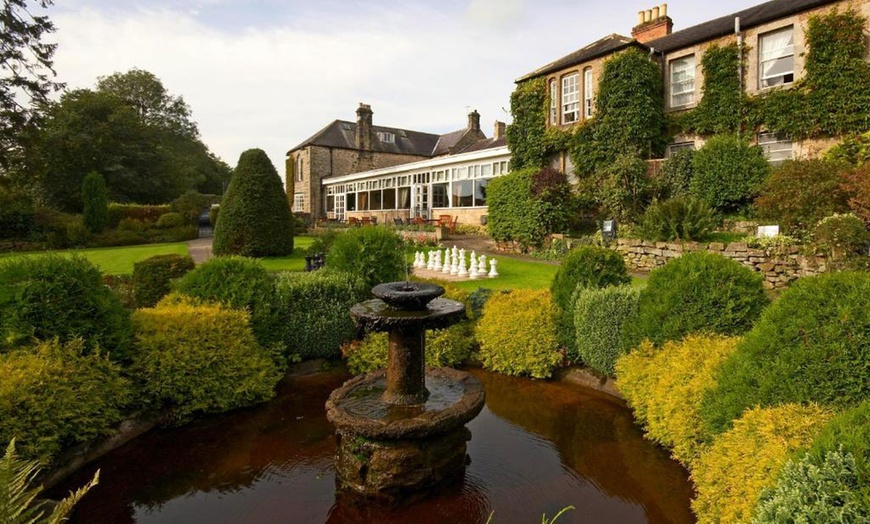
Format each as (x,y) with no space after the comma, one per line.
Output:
(271,73)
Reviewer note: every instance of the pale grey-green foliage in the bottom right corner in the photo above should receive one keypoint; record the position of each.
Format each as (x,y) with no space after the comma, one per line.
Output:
(807,491)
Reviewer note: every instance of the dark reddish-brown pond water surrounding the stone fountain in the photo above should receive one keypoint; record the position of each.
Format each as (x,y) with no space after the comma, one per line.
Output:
(536,448)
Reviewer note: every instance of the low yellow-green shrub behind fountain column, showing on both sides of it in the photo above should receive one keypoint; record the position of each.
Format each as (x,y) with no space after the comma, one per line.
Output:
(444,347)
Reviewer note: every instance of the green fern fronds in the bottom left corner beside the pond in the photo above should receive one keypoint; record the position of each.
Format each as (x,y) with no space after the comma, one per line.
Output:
(18,493)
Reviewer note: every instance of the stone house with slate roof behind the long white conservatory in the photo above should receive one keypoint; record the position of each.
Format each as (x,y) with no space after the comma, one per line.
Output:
(342,148)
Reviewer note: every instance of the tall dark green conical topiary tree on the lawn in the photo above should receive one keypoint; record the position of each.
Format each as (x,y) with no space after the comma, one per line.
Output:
(255,219)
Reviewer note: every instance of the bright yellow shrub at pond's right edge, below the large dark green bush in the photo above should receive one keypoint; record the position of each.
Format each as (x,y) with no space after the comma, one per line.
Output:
(665,388)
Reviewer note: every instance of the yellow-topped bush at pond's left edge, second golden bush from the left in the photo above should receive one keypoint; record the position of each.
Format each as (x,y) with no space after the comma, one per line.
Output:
(197,359)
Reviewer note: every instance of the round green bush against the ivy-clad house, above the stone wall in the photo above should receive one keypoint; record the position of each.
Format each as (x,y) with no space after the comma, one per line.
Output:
(728,173)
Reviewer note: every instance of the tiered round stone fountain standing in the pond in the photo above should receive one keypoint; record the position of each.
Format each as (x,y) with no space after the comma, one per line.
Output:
(402,431)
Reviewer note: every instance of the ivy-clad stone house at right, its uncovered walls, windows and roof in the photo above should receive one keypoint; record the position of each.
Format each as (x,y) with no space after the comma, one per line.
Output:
(772,34)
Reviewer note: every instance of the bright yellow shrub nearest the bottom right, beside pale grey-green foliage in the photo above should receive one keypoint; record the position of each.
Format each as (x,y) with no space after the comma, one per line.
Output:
(731,474)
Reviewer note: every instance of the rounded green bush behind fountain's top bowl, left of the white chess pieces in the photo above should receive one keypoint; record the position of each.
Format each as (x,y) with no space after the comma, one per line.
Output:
(375,254)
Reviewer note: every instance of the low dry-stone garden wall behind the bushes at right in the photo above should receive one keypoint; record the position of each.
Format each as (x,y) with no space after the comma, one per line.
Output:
(780,265)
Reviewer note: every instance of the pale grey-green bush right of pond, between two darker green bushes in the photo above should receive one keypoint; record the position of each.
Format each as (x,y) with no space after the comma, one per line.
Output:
(599,315)
